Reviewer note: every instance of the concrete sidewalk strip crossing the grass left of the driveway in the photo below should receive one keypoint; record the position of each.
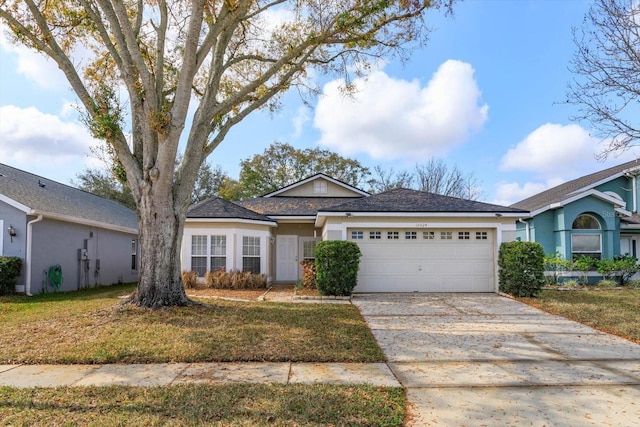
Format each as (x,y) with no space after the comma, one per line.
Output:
(163,374)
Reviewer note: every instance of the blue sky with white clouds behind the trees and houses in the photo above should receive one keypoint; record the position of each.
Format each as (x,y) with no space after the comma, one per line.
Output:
(486,93)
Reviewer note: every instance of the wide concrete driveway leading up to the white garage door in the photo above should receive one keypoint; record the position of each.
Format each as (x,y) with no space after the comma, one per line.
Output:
(483,359)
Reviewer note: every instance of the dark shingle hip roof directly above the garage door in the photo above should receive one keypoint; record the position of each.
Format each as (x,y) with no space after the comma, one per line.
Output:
(405,200)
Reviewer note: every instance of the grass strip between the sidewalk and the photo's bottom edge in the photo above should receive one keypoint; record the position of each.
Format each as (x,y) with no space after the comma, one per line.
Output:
(198,405)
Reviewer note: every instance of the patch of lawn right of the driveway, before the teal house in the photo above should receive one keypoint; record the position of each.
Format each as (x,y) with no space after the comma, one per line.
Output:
(613,311)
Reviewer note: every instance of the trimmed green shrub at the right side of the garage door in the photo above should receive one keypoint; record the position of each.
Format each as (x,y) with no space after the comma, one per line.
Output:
(521,268)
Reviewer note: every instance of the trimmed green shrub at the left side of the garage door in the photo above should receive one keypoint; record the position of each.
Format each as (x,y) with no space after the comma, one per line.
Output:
(337,265)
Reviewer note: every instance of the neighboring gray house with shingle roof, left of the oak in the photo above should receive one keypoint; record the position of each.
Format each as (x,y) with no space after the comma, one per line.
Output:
(93,240)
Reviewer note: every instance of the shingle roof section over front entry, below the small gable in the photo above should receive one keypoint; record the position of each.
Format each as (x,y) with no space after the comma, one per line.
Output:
(293,206)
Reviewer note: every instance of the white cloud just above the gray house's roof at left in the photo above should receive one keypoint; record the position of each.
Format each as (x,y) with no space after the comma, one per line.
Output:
(43,144)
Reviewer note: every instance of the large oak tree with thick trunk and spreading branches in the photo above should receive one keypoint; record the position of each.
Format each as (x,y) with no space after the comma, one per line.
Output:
(153,73)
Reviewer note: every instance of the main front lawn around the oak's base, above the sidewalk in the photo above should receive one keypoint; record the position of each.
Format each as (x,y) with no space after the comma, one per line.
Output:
(89,327)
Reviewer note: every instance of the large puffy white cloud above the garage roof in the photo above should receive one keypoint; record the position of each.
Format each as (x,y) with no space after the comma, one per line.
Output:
(389,118)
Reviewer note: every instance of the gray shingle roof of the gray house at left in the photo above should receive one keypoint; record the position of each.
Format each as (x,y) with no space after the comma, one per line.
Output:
(49,197)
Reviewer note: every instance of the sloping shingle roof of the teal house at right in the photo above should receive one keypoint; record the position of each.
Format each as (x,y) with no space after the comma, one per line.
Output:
(573,187)
